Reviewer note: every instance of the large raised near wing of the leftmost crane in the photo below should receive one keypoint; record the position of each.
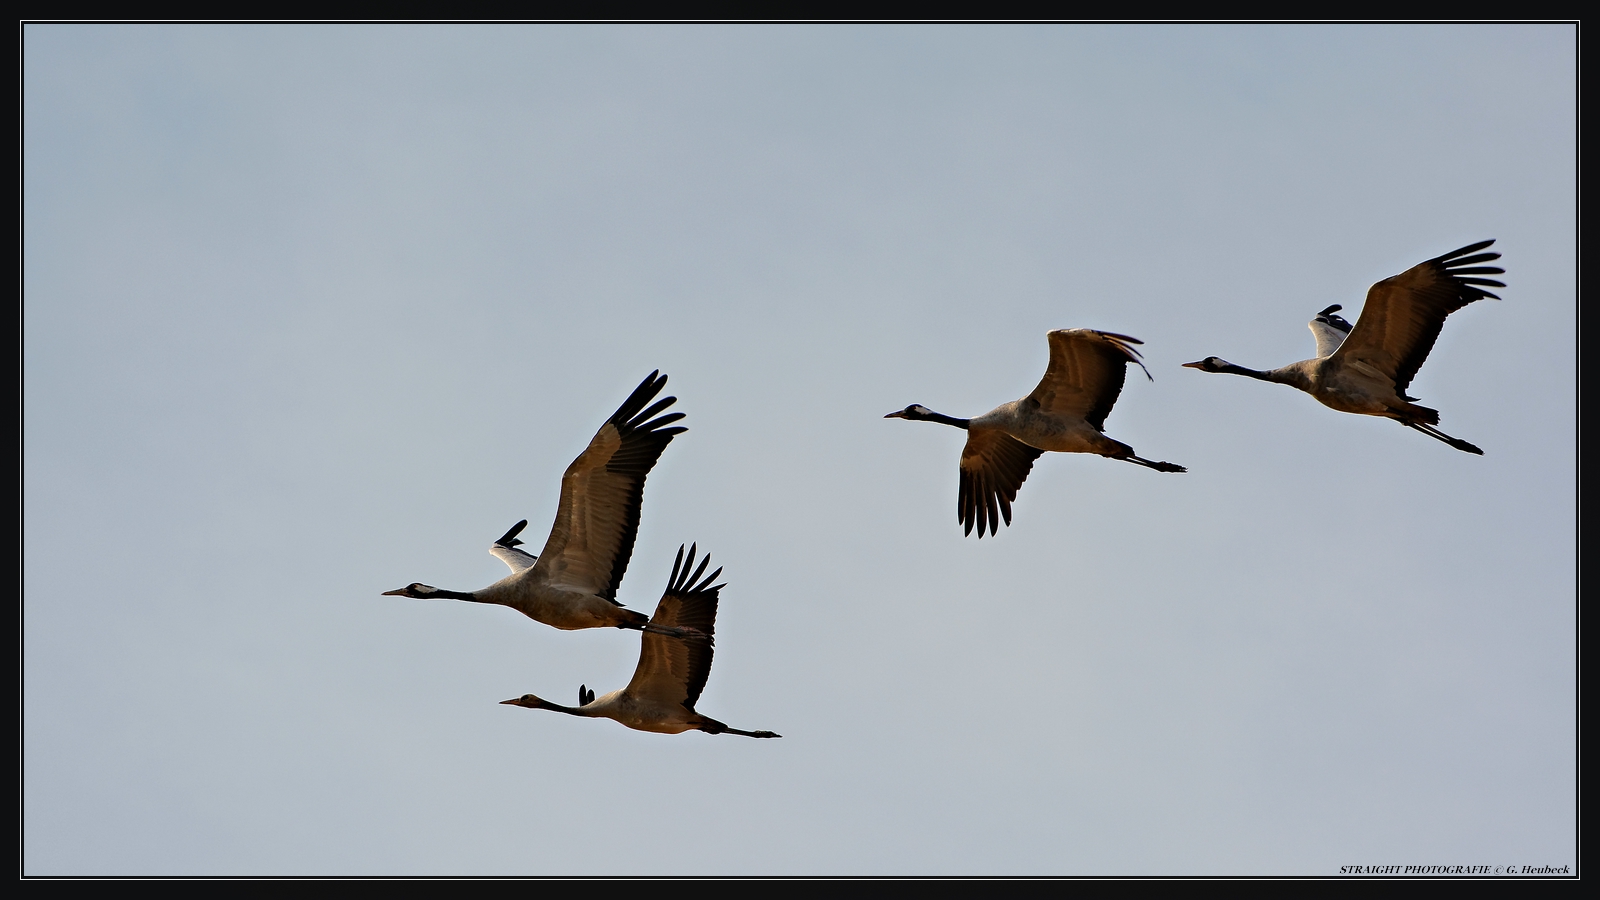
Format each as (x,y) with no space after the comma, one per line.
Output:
(602,491)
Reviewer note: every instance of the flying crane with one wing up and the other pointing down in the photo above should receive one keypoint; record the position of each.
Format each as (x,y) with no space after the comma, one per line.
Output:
(1065,414)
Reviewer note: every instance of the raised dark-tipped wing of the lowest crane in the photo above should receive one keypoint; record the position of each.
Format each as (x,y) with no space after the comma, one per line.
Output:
(673,670)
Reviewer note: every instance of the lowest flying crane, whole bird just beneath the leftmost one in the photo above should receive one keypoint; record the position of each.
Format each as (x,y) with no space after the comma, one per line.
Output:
(671,670)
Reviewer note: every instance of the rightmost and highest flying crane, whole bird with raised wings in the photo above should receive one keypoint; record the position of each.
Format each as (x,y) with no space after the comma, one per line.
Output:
(1367,369)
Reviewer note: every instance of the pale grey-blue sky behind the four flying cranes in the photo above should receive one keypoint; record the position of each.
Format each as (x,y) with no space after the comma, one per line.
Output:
(311,313)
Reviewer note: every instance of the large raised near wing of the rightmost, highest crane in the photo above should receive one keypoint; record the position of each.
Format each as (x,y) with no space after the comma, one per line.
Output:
(1406,313)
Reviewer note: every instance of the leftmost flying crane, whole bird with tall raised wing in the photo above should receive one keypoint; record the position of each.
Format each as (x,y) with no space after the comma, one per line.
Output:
(574,582)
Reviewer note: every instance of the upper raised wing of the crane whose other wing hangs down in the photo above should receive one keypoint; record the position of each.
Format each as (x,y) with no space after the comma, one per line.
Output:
(1086,374)
